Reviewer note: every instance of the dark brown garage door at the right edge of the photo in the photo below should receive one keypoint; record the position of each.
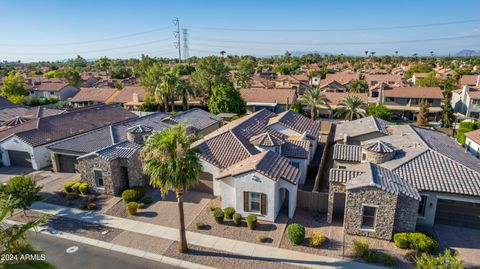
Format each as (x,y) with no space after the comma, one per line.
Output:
(458,213)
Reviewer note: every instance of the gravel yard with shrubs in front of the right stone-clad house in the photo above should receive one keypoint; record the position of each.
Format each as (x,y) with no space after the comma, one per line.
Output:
(334,236)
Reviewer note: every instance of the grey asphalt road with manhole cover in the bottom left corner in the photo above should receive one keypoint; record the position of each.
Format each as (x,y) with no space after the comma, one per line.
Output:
(88,256)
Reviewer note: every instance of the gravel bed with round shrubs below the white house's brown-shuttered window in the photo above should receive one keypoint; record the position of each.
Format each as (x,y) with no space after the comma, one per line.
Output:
(229,230)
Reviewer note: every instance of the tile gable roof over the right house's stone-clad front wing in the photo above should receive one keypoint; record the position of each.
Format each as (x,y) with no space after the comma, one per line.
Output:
(382,178)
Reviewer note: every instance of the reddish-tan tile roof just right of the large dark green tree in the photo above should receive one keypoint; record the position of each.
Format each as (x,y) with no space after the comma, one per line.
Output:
(272,96)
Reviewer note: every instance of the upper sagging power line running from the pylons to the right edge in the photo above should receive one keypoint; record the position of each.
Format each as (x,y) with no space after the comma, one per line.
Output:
(336,29)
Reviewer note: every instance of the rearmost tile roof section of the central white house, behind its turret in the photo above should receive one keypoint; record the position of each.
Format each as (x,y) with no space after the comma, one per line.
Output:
(298,123)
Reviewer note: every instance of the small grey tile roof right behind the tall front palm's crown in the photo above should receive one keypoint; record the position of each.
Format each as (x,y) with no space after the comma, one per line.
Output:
(197,118)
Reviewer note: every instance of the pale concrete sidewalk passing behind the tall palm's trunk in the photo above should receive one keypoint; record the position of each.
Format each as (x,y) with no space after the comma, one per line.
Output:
(256,251)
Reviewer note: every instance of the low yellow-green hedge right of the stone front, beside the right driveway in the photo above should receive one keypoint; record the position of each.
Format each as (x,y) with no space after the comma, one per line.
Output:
(417,241)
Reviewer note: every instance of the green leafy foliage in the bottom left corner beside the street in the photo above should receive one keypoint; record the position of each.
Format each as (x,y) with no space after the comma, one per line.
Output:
(14,241)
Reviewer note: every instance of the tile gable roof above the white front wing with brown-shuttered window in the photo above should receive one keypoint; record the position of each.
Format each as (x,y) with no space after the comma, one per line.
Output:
(266,163)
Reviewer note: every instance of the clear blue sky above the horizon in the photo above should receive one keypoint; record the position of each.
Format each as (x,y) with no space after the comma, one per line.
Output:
(60,29)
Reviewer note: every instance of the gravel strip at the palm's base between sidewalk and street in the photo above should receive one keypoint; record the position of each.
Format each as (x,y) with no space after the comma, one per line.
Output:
(220,259)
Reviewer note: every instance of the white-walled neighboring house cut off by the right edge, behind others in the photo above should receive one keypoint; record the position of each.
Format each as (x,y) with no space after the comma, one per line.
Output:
(466,101)
